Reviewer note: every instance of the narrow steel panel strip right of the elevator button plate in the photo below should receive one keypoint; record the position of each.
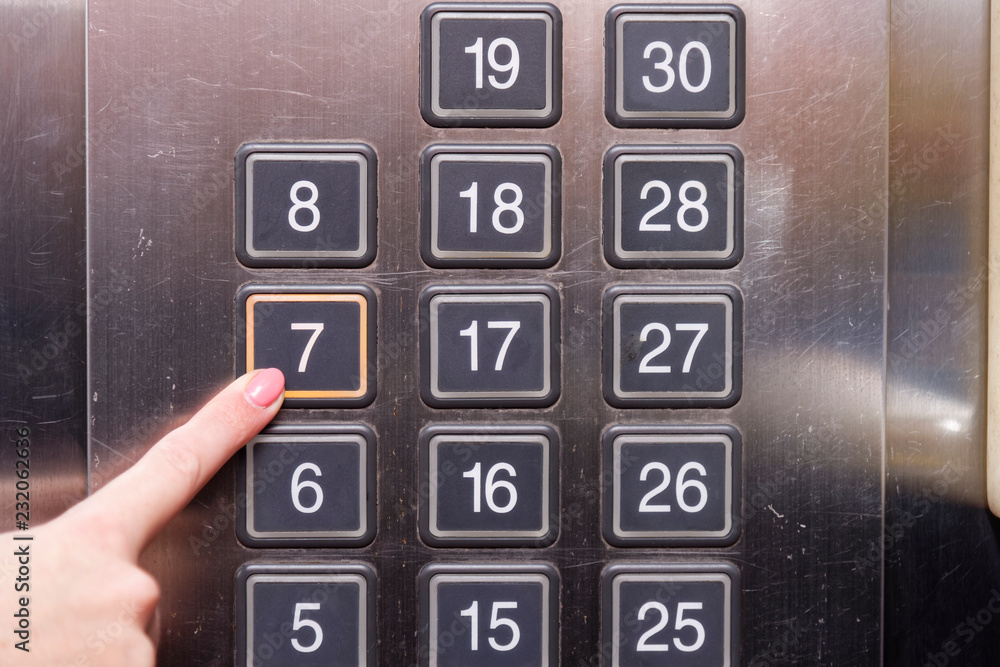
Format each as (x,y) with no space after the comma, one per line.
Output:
(942,556)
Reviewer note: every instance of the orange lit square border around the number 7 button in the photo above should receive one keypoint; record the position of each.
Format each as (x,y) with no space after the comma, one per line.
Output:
(250,296)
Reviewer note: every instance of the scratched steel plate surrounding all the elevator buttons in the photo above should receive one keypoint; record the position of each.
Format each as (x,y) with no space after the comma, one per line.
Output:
(176,87)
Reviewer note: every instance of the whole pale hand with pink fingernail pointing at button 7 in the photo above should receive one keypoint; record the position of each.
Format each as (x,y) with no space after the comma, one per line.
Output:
(90,603)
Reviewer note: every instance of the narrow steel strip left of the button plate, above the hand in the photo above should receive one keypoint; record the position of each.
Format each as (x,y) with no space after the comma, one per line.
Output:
(43,310)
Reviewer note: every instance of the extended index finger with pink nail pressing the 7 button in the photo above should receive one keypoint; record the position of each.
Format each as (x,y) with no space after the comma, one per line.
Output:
(139,502)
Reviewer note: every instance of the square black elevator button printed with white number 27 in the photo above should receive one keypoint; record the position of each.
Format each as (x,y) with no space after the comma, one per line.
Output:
(672,346)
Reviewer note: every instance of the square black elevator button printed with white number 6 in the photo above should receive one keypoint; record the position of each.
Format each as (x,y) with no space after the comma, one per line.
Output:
(308,486)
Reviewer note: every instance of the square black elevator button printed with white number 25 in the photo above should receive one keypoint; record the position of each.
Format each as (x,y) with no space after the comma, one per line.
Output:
(672,615)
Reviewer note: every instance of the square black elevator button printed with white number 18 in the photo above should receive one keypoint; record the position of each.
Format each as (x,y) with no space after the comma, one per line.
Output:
(490,206)
